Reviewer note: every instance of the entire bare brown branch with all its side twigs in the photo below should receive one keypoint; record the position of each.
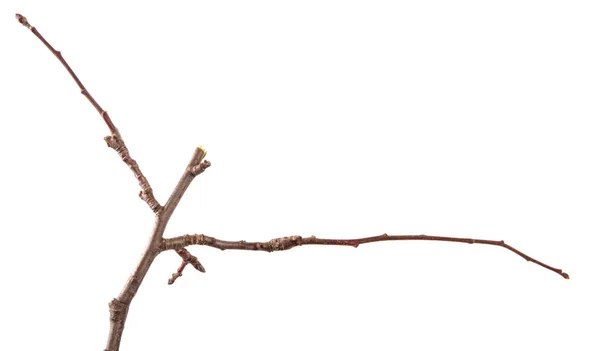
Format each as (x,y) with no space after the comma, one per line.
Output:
(119,307)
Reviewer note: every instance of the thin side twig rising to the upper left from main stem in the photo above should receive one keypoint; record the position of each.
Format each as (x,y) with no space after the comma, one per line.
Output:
(114,141)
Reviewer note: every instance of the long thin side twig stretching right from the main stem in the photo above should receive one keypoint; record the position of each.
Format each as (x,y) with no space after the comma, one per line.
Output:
(288,242)
